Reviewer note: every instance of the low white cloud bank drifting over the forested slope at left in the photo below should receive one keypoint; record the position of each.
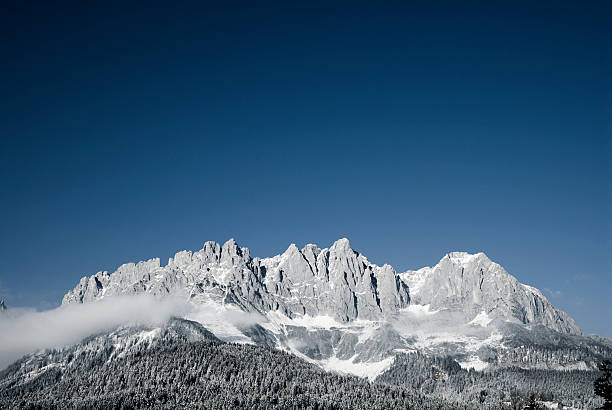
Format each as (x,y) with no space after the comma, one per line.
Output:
(24,331)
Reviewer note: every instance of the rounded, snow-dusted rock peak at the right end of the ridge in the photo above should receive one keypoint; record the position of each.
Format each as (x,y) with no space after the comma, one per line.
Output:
(478,286)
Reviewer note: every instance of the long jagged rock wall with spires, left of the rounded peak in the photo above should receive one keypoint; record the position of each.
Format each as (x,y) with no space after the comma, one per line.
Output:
(335,281)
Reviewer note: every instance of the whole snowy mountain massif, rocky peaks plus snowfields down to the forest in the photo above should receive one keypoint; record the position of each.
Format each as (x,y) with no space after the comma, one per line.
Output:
(334,307)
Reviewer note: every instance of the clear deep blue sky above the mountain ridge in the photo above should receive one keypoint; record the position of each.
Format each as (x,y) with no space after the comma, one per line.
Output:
(134,132)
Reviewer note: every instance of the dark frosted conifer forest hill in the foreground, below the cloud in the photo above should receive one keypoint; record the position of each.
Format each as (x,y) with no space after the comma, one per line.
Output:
(208,375)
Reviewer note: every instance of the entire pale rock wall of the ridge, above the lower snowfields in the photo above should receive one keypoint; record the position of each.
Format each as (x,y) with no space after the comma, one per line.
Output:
(336,281)
